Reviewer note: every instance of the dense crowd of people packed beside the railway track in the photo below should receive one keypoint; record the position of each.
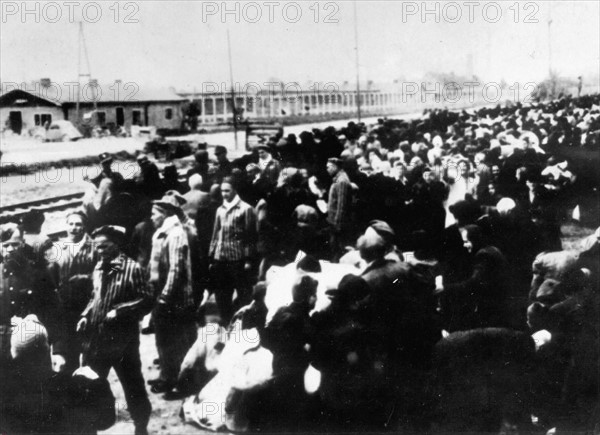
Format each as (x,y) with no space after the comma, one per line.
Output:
(464,312)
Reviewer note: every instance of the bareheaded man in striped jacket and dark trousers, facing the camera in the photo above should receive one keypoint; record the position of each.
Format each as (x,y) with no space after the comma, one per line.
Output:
(232,250)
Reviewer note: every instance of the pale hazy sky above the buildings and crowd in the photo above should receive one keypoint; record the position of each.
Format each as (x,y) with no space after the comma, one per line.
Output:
(184,44)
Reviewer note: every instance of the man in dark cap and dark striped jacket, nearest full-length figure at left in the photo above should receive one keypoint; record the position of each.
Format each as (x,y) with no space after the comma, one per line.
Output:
(110,322)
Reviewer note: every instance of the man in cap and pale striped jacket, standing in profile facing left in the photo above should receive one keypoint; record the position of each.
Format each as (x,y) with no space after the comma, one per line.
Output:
(171,282)
